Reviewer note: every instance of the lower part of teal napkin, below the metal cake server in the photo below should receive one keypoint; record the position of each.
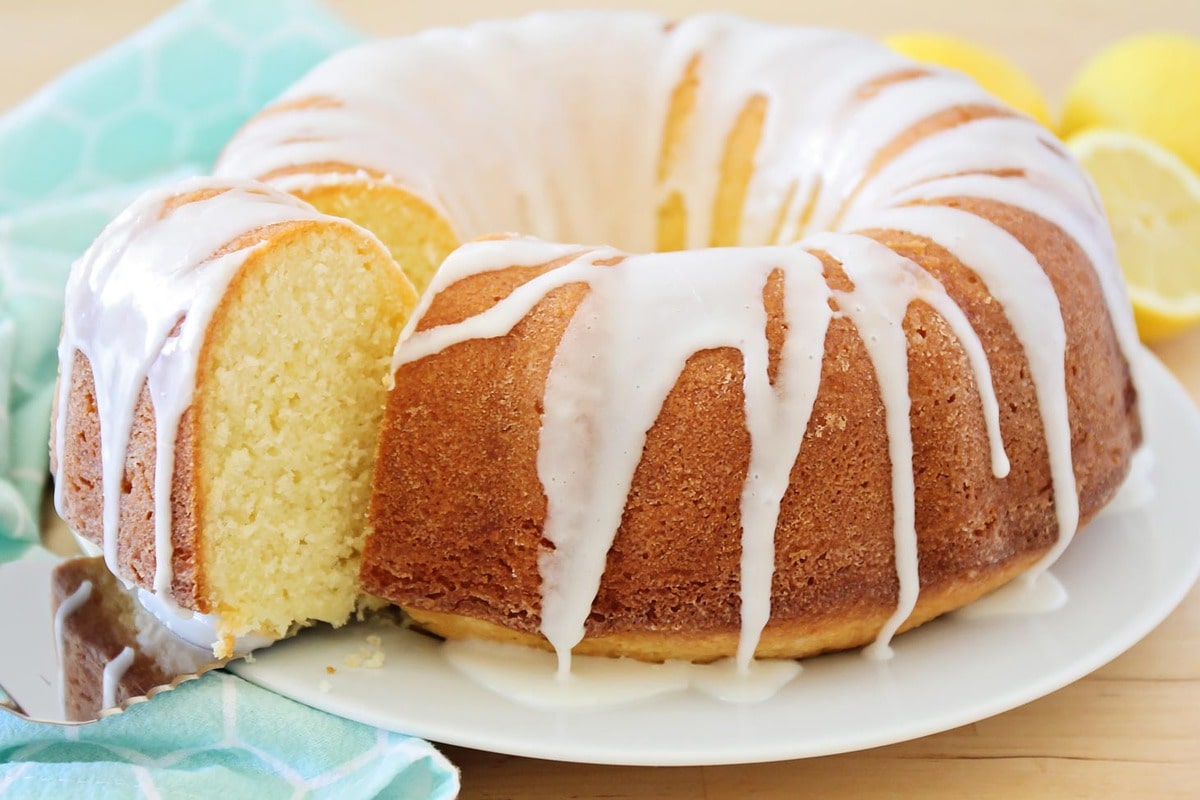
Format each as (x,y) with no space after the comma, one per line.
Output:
(219,737)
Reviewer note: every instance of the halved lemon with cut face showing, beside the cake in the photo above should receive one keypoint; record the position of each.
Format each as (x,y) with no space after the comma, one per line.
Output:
(1153,201)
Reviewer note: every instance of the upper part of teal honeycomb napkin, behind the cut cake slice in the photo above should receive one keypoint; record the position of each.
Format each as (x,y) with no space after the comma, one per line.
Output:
(157,107)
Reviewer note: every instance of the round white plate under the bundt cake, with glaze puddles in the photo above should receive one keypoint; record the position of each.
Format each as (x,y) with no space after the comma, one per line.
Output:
(1125,575)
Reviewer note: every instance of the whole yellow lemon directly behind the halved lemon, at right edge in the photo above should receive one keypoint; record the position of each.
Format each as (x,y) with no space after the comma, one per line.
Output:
(1147,85)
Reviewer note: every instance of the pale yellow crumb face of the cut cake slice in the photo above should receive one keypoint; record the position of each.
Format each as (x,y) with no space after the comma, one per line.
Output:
(289,452)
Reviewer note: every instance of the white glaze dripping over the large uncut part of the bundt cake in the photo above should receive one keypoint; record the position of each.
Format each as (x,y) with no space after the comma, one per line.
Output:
(565,91)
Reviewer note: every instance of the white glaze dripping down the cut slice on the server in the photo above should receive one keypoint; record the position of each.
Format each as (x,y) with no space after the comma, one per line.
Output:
(148,273)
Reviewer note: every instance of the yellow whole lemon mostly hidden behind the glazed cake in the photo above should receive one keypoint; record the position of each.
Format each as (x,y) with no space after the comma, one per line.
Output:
(991,70)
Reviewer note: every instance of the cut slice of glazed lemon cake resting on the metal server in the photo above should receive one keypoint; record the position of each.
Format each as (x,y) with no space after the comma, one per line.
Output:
(224,366)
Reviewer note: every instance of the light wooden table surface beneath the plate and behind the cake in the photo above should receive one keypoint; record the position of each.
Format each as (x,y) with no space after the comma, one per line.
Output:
(1132,730)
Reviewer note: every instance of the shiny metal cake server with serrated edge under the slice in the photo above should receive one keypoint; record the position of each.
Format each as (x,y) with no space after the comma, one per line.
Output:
(33,683)
